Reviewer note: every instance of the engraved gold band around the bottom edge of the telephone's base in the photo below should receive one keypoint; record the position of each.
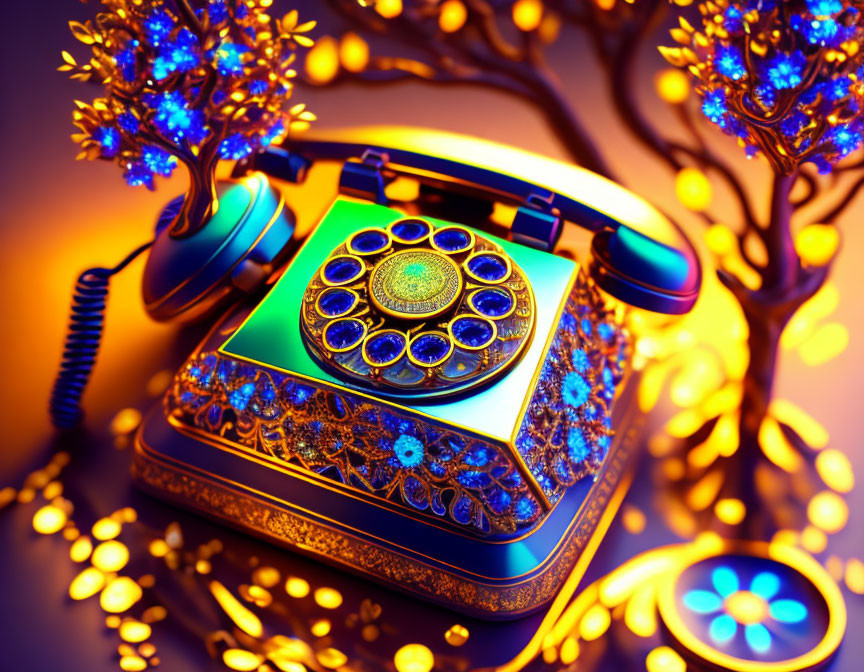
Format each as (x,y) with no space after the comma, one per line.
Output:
(290,529)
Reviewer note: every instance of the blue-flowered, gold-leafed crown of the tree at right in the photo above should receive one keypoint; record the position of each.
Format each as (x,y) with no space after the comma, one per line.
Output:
(785,78)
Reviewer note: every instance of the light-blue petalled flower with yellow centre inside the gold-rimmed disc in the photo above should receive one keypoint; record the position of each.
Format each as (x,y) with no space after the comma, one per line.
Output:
(748,608)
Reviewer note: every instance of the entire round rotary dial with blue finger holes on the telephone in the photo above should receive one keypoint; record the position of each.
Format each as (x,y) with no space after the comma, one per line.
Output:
(417,310)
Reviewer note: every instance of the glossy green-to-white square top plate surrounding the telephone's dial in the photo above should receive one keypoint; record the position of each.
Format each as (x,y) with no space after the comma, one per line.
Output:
(271,334)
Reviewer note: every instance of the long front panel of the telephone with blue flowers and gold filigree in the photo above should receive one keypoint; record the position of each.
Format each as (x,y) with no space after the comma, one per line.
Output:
(347,438)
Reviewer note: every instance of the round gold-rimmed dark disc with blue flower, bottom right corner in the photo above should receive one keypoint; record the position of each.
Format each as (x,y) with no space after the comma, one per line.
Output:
(754,607)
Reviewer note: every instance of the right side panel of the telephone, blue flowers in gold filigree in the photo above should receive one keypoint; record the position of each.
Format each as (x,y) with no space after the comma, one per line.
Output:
(567,428)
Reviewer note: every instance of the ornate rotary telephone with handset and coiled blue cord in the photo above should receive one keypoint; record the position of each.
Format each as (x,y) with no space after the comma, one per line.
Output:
(423,390)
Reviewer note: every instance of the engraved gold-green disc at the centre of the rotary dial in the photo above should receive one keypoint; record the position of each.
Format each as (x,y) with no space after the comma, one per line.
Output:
(415,284)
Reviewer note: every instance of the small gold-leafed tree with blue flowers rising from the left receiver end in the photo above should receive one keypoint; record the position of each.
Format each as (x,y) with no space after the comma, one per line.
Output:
(188,81)
